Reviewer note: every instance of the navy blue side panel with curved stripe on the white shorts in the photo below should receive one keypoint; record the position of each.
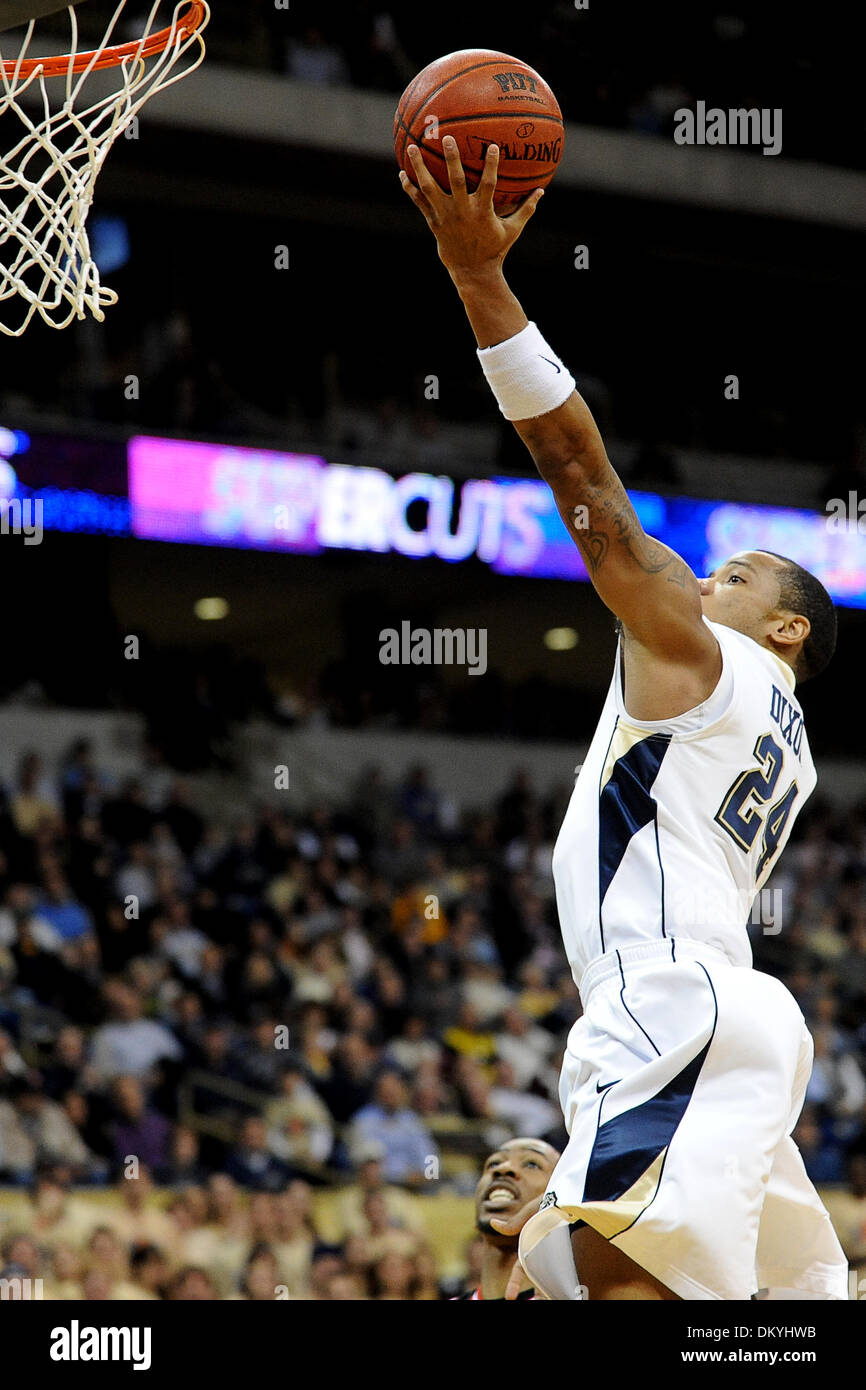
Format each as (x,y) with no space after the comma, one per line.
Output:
(630,1143)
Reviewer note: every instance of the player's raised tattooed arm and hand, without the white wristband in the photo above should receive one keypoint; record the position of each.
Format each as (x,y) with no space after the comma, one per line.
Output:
(647,584)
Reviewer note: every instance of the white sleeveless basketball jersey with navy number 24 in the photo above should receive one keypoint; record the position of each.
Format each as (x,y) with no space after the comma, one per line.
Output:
(676,825)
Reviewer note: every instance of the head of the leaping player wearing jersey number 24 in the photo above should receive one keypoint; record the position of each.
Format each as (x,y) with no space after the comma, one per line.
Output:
(778,604)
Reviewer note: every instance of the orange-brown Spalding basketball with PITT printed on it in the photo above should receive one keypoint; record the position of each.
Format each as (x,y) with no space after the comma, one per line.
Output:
(483,98)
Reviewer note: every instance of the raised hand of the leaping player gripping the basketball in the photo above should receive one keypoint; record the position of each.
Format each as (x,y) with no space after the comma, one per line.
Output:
(471,236)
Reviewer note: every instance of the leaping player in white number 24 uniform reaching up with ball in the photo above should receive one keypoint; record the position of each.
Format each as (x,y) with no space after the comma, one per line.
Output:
(686,1074)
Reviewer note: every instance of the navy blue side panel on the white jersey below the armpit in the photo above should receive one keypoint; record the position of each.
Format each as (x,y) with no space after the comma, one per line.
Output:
(628,807)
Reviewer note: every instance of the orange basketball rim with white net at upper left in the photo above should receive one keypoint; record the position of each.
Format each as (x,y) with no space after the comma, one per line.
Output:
(49,174)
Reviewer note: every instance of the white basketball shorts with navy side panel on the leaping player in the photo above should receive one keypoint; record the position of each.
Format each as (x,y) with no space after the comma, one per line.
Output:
(680,1088)
